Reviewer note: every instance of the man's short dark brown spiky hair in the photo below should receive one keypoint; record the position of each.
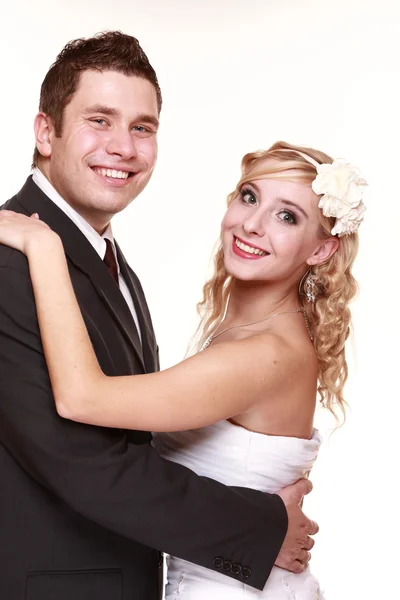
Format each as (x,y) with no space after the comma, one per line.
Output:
(108,51)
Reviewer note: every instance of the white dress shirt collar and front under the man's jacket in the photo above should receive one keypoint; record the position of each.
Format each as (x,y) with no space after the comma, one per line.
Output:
(96,240)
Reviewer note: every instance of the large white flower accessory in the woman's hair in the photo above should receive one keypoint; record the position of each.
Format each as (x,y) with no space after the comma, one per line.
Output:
(342,190)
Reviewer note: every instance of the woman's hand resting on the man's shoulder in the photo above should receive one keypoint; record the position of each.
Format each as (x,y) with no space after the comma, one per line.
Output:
(20,231)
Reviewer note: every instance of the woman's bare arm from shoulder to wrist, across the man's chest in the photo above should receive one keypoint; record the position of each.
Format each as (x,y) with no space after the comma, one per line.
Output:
(217,384)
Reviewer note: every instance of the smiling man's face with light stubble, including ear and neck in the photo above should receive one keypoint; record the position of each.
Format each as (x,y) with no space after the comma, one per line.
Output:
(108,147)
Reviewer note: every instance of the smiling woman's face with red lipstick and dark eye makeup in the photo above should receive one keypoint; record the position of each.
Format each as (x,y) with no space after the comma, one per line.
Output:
(271,231)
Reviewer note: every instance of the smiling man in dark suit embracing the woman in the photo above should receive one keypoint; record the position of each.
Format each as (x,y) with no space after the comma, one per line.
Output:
(83,509)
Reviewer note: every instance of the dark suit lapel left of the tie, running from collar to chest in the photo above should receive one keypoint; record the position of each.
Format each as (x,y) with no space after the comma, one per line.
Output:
(82,254)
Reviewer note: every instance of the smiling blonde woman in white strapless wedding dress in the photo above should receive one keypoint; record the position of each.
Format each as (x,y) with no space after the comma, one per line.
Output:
(275,321)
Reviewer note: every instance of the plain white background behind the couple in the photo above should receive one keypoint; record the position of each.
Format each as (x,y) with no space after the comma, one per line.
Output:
(237,76)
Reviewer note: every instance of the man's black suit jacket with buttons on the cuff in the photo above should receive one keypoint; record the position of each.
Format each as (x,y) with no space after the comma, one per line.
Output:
(83,509)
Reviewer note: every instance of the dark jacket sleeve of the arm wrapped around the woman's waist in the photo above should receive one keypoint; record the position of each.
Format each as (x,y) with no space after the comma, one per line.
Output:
(123,487)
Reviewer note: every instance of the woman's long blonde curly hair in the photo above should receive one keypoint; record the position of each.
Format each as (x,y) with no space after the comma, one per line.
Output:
(329,317)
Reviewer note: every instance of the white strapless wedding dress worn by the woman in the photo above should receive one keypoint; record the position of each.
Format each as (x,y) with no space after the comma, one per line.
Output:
(238,457)
